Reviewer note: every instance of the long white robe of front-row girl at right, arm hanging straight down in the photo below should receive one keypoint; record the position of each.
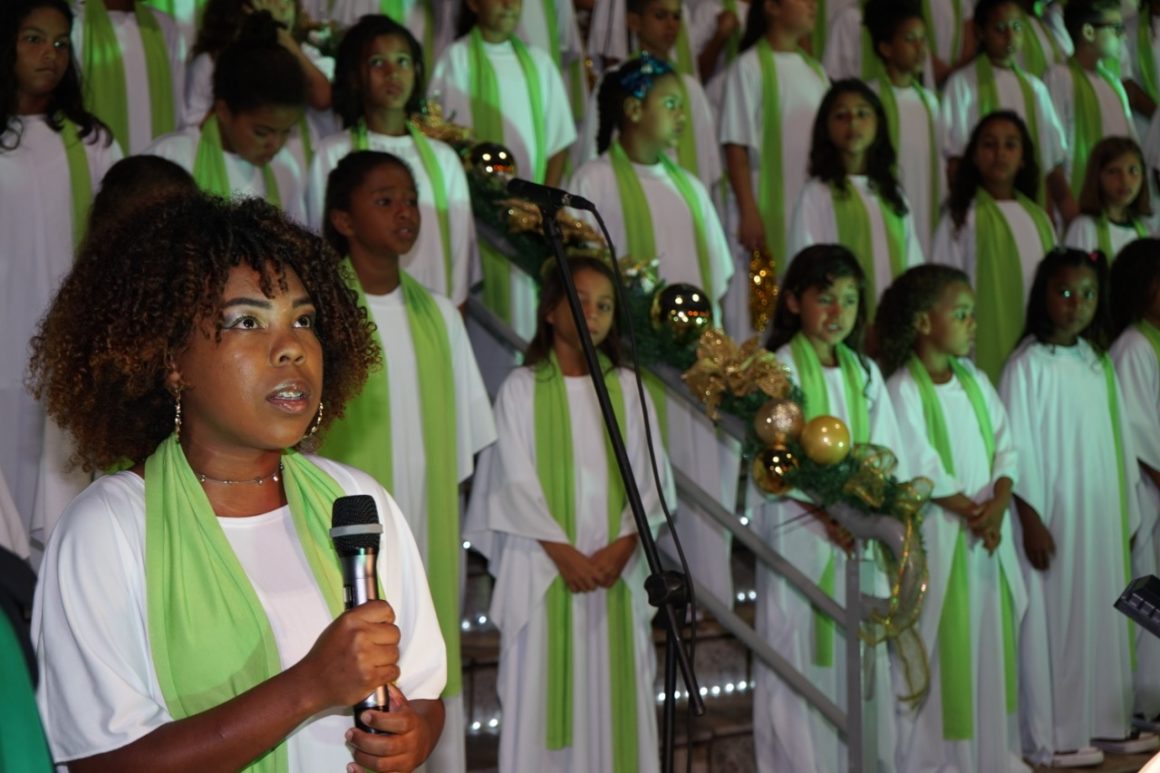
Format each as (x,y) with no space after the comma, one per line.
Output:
(1075,655)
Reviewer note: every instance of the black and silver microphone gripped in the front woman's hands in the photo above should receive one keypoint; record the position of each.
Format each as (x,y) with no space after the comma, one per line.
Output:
(358,534)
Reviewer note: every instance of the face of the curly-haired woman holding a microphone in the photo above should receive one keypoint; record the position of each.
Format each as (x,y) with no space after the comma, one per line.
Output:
(259,387)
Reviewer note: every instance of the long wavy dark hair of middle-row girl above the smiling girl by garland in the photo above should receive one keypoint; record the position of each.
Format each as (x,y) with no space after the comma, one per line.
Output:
(826,161)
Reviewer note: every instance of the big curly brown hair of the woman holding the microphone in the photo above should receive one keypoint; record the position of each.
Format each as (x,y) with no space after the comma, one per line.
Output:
(134,300)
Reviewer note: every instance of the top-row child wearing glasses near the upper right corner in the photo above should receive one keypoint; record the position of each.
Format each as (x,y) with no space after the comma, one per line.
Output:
(1087,95)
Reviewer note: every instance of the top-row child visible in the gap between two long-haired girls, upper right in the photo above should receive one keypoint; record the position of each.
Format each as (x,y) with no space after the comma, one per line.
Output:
(912,112)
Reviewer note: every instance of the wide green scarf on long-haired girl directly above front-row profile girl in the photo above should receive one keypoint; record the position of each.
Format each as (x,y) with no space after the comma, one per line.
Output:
(999,279)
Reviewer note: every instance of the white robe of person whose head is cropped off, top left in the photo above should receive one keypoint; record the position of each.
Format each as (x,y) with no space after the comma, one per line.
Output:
(133,53)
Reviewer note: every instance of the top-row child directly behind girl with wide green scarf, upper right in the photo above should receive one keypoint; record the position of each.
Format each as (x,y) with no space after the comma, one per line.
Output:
(996,83)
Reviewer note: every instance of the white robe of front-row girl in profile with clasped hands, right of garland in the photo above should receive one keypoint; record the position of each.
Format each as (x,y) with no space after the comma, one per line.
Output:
(995,746)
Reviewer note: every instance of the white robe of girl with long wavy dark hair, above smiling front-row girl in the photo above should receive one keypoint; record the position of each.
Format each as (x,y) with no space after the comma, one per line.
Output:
(815,222)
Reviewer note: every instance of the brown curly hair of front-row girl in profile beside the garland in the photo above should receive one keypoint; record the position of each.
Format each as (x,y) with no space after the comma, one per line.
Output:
(917,291)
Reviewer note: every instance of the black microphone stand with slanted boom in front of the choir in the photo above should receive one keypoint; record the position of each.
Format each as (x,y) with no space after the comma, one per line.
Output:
(668,590)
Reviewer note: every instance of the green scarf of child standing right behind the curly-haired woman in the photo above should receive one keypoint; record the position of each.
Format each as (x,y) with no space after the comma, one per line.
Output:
(351,442)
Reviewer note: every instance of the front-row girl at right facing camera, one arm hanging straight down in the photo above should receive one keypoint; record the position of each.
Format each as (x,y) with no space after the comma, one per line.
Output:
(1077,511)
